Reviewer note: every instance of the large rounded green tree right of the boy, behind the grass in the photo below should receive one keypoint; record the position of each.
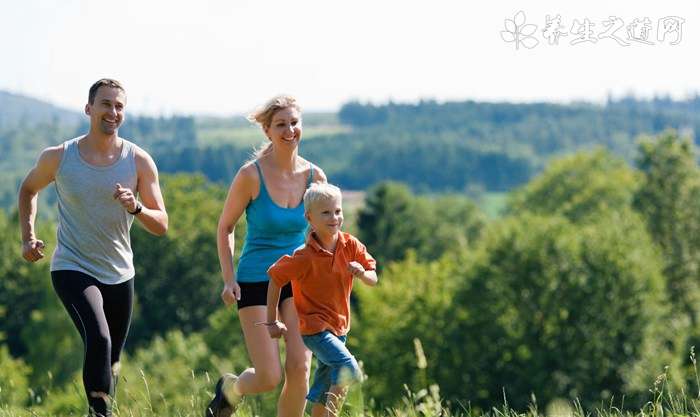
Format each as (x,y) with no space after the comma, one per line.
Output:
(559,310)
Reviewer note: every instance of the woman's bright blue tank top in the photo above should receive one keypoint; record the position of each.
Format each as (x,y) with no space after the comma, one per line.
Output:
(273,231)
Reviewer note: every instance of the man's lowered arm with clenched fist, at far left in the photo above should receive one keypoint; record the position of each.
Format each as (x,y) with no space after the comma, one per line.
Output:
(43,173)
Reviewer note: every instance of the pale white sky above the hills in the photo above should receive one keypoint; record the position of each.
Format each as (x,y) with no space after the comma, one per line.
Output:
(225,57)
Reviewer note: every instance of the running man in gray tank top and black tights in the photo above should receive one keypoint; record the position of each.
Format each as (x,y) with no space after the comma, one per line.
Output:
(97,178)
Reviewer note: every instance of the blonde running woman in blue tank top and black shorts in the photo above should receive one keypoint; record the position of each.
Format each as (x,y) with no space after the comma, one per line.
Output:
(270,190)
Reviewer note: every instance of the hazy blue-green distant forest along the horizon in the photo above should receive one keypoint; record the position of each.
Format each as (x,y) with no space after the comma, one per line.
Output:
(432,147)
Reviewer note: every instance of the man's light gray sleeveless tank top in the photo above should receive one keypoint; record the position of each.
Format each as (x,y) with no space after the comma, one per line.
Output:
(93,227)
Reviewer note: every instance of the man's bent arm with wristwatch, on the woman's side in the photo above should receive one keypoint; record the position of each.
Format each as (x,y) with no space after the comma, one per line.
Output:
(153,215)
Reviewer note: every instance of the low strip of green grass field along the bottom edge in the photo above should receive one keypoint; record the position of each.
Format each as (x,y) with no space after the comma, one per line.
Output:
(144,401)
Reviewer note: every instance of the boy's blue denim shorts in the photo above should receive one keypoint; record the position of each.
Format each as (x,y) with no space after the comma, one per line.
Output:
(336,365)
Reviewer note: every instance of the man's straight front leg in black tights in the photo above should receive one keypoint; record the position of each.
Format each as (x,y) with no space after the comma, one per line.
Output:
(83,300)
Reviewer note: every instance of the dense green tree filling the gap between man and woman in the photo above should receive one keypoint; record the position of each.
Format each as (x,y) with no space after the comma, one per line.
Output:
(178,278)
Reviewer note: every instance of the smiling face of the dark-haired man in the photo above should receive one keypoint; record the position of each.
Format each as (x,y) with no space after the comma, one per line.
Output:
(107,110)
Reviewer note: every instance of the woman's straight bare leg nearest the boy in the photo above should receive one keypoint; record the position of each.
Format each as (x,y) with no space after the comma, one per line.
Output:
(296,367)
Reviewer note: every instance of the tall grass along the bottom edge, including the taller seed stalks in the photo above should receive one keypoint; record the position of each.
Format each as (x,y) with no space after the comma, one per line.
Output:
(140,398)
